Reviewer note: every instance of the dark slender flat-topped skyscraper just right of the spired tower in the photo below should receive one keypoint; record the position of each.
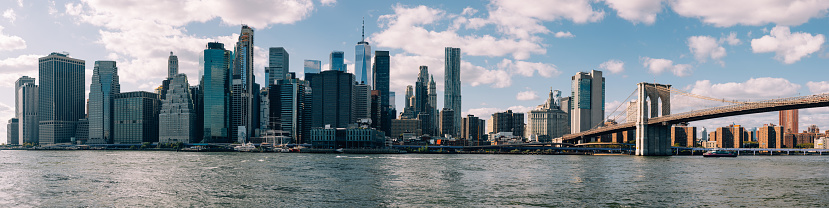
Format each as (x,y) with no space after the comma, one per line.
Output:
(382,66)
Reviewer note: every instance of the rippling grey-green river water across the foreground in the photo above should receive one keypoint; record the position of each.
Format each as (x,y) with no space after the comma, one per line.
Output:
(186,179)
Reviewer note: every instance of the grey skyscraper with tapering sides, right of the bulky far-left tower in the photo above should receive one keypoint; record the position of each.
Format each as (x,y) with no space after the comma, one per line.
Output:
(104,85)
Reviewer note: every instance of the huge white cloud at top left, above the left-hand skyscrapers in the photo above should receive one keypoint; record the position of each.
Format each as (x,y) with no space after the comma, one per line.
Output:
(141,35)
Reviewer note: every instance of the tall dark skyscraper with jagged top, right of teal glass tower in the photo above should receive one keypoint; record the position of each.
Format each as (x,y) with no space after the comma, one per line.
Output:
(244,92)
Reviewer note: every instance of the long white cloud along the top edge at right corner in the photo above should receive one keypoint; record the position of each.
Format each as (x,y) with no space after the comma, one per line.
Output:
(751,12)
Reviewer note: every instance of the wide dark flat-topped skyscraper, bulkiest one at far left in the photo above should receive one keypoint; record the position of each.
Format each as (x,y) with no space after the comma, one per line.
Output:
(60,97)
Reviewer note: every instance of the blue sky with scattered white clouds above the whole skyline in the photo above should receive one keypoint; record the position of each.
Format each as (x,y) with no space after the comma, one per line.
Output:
(513,51)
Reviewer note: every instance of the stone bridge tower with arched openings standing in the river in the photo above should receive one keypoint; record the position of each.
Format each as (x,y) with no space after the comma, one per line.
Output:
(654,139)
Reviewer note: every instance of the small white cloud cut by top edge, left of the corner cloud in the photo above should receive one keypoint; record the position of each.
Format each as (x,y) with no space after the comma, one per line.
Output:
(636,11)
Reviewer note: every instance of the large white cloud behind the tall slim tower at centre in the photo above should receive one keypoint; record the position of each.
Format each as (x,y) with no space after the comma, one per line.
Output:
(406,29)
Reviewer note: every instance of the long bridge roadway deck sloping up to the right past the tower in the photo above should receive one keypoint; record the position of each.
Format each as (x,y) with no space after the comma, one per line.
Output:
(810,101)
